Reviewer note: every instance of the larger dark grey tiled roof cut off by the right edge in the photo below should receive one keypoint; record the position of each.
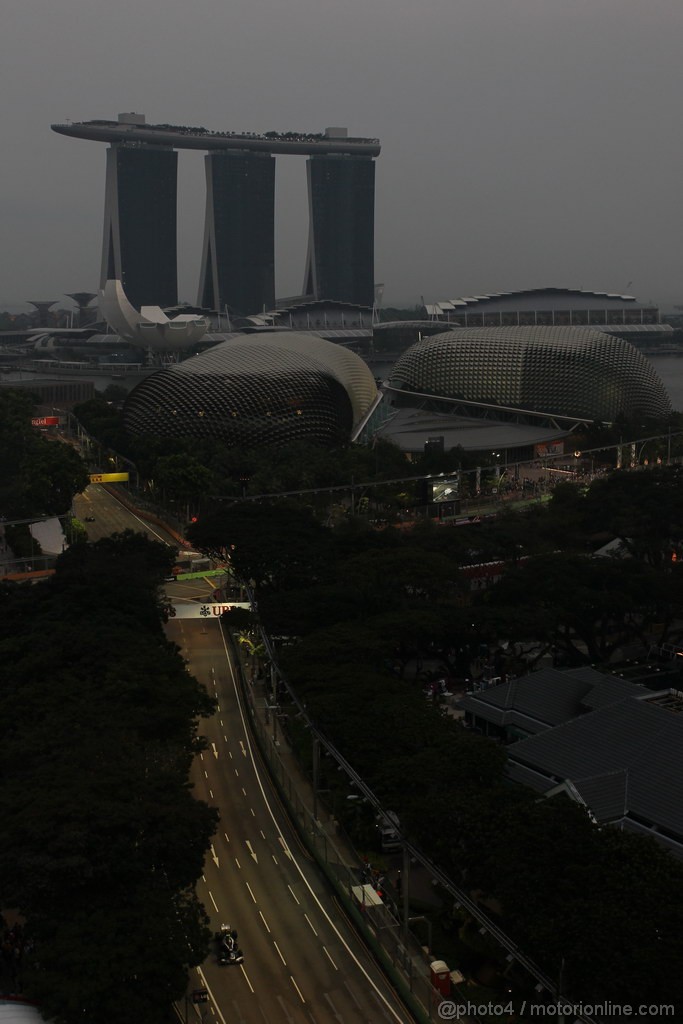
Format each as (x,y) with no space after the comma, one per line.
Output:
(627,754)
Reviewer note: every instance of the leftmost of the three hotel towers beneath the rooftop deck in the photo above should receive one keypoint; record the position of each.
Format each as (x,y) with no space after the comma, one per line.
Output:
(141,224)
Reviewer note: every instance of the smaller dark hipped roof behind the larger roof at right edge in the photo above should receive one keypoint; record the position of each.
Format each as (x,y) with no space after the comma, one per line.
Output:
(548,698)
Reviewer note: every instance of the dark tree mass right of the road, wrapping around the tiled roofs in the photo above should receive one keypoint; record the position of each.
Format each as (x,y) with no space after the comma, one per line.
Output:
(365,604)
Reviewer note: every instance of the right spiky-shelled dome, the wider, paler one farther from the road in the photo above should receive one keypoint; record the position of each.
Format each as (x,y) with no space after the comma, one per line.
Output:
(569,373)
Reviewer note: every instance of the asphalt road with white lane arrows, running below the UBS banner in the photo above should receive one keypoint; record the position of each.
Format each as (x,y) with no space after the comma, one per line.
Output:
(304,963)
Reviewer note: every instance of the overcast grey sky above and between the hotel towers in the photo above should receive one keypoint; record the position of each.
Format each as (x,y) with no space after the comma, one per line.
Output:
(525,143)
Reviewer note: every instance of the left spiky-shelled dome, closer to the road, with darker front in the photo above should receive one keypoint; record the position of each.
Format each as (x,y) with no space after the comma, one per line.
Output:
(266,390)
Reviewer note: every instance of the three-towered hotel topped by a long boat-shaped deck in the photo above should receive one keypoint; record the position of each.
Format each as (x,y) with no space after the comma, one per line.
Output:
(238,259)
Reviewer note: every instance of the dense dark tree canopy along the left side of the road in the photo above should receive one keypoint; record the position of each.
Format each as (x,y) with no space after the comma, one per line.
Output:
(103,840)
